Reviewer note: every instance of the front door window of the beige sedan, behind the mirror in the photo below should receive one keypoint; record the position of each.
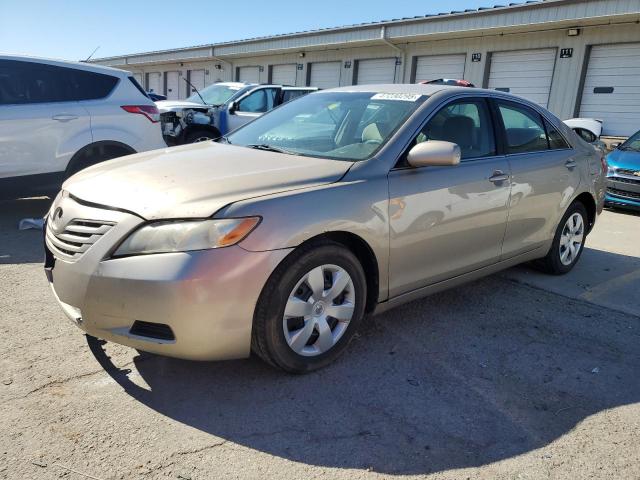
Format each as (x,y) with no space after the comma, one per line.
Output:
(466,123)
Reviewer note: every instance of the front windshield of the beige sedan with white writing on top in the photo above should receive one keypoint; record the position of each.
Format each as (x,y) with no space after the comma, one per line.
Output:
(337,125)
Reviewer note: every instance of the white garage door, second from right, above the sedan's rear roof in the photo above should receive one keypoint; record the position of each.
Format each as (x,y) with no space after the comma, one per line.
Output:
(527,73)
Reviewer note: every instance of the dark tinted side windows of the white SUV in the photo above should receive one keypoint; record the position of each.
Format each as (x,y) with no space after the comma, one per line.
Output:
(29,82)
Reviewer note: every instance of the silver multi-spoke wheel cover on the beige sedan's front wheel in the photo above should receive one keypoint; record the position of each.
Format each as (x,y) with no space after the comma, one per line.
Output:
(319,310)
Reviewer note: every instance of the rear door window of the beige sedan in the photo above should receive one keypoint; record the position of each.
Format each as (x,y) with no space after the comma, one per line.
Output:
(524,128)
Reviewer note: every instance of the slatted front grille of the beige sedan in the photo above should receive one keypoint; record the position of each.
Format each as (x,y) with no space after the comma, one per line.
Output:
(76,237)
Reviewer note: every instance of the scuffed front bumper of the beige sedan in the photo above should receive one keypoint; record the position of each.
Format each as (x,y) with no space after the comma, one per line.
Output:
(205,298)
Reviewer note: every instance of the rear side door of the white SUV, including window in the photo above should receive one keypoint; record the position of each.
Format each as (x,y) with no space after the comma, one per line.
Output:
(41,124)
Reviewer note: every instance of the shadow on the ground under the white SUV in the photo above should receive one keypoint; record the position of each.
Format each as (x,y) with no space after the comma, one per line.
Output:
(21,246)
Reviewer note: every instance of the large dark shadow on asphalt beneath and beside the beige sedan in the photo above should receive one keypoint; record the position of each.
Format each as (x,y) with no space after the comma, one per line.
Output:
(464,378)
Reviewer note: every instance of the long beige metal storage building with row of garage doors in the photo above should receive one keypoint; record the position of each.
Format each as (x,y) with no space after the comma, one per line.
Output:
(576,57)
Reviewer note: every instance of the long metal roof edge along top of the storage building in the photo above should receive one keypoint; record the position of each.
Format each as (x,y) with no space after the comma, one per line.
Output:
(497,16)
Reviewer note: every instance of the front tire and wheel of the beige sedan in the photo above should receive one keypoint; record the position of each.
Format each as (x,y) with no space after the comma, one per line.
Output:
(310,308)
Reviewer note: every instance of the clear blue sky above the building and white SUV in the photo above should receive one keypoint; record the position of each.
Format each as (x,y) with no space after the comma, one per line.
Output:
(71,29)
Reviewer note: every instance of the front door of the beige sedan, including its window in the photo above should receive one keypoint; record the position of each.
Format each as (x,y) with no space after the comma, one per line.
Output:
(447,221)
